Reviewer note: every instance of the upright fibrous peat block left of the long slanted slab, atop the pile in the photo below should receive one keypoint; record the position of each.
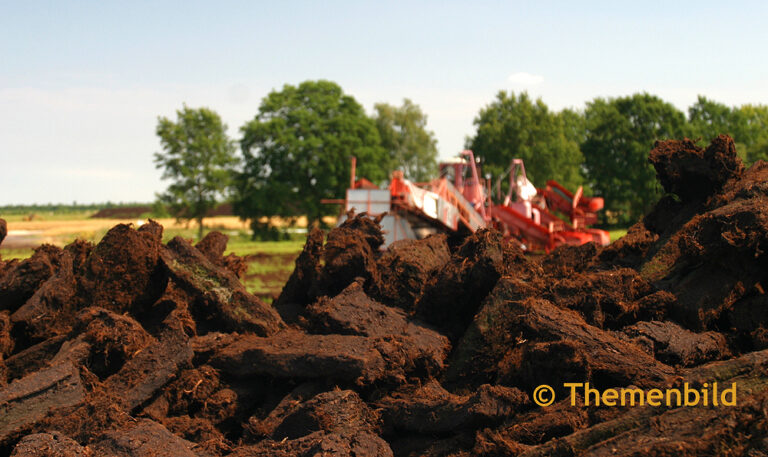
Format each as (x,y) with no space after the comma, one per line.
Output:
(122,272)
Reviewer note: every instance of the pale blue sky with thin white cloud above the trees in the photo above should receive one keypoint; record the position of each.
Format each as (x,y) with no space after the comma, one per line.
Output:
(82,83)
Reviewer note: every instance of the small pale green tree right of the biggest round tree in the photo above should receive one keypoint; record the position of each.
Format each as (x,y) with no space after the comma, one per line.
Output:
(404,135)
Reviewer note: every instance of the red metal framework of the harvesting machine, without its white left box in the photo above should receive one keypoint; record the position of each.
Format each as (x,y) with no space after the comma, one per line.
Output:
(536,227)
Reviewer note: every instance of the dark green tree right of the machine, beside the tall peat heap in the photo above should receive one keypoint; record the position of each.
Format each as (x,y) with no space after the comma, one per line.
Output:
(619,134)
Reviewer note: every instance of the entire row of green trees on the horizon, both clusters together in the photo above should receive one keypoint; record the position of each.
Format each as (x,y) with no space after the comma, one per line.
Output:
(296,150)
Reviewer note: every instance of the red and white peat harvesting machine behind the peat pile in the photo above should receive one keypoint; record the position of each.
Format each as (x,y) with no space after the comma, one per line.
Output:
(460,201)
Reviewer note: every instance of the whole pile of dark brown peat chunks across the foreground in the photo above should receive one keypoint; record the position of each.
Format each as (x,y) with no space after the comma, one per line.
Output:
(136,348)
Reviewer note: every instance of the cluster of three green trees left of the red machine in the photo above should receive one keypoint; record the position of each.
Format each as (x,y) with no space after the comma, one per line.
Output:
(295,152)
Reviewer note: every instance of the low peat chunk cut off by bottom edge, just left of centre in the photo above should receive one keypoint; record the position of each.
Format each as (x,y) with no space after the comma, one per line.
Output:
(360,444)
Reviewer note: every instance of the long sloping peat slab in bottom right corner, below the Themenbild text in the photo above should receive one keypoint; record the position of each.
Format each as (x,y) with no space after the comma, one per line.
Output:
(687,430)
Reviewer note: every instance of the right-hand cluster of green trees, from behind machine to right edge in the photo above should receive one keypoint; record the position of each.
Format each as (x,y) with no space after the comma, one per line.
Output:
(605,147)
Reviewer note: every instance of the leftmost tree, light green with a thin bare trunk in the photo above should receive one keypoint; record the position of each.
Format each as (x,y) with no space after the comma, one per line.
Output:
(198,156)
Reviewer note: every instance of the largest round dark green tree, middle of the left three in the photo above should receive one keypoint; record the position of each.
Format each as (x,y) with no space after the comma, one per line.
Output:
(297,151)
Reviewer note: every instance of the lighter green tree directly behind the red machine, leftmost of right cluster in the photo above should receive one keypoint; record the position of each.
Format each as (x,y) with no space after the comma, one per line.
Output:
(516,127)
